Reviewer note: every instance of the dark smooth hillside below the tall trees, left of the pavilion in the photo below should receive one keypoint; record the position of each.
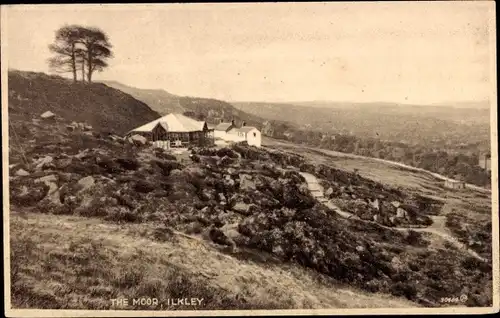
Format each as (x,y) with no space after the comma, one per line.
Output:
(105,108)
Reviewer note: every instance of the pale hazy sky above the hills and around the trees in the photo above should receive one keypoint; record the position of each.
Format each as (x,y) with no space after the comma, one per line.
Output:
(420,52)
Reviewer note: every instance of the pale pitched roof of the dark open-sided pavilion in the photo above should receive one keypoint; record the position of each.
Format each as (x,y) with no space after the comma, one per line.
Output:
(173,123)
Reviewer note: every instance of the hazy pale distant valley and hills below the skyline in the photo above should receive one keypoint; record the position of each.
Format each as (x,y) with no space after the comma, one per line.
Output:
(386,121)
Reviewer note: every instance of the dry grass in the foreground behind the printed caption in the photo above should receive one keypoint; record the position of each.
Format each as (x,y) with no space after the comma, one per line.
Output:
(68,262)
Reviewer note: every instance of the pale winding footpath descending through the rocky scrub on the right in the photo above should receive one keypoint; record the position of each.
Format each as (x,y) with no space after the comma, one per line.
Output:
(436,228)
